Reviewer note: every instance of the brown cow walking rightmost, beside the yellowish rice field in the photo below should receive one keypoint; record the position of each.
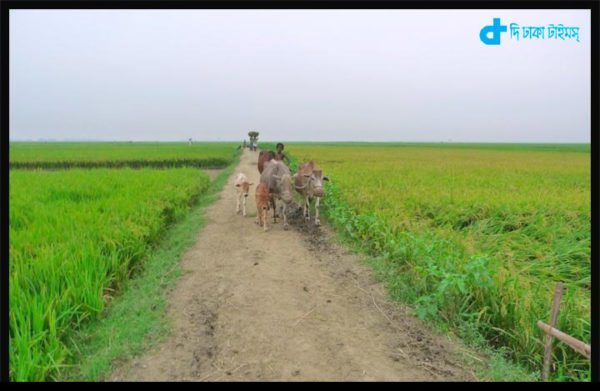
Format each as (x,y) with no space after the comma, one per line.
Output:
(308,181)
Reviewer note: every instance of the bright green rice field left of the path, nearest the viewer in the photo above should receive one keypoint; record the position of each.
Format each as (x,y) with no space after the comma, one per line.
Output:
(75,237)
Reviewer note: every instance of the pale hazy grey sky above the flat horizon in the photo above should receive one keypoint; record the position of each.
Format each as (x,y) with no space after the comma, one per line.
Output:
(373,75)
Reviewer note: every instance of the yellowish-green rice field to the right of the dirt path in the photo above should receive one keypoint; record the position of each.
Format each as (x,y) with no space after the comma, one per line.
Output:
(474,235)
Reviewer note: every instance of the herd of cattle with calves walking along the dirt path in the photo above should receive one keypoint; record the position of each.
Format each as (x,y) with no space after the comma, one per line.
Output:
(278,183)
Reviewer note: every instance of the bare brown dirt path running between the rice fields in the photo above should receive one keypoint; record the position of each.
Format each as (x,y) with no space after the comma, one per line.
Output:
(285,305)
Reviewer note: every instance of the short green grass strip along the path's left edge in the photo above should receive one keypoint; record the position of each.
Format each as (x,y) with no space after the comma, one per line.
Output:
(135,320)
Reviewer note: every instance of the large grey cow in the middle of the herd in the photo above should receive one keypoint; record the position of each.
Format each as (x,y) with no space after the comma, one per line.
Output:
(278,178)
